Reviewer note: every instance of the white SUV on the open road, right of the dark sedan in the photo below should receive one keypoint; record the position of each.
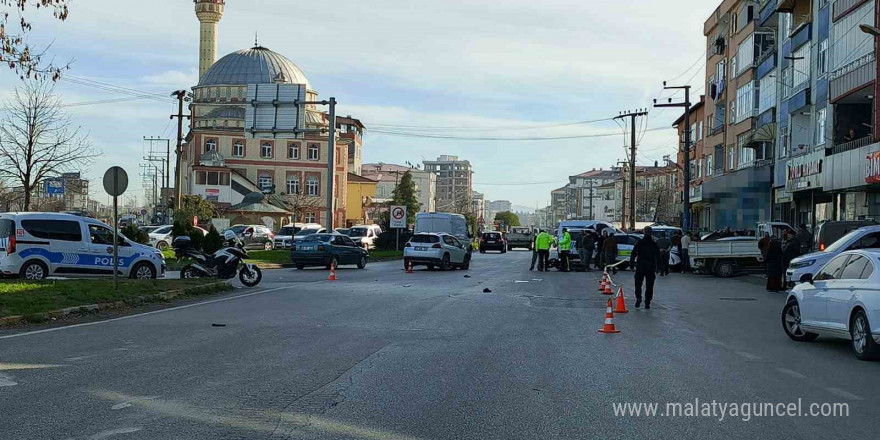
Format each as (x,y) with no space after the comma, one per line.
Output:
(436,250)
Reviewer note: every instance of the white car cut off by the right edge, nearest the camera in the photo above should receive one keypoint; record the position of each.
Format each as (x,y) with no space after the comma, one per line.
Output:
(842,301)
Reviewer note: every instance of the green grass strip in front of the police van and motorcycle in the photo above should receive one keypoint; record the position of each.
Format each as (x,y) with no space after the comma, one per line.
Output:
(33,298)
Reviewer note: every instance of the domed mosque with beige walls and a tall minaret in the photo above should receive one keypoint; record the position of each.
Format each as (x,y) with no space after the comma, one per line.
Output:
(223,164)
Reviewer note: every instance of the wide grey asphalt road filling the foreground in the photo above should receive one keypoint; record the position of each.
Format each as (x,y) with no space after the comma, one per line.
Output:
(381,354)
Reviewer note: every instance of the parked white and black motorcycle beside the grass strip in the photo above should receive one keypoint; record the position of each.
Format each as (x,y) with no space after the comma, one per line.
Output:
(224,264)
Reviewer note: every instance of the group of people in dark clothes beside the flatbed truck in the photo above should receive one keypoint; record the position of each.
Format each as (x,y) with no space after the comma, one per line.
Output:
(778,254)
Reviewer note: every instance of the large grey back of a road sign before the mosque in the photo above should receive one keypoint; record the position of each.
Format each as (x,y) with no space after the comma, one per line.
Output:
(272,113)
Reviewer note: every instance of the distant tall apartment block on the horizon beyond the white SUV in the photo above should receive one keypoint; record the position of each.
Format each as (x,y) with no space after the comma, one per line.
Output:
(455,185)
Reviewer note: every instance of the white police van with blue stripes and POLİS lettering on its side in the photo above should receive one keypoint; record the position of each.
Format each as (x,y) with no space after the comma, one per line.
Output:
(34,245)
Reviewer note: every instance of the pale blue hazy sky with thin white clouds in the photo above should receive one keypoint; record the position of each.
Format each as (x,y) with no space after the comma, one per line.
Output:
(476,69)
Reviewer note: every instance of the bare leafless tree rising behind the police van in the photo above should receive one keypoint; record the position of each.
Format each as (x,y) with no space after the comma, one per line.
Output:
(37,140)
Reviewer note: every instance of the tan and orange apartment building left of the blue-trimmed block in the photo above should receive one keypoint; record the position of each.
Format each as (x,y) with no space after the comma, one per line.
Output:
(741,137)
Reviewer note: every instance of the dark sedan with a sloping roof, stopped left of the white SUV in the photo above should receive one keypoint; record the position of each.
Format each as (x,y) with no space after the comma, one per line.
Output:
(327,249)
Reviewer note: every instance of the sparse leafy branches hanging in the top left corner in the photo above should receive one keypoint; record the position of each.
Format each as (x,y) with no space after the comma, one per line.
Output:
(15,52)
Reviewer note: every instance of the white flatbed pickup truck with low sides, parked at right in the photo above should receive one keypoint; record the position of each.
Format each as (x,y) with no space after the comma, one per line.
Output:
(730,256)
